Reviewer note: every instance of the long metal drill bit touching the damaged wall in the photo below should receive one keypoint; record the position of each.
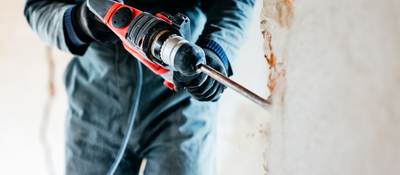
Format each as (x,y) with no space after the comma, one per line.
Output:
(266,104)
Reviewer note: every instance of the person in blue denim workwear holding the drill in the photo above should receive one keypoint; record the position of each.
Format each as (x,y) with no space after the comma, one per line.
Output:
(173,132)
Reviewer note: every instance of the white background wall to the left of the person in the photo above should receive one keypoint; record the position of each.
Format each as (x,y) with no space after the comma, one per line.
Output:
(23,93)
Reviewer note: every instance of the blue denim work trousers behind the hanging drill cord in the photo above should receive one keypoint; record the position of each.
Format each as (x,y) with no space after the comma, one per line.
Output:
(175,134)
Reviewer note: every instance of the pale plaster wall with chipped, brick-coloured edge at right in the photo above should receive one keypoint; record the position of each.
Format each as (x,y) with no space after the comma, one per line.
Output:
(336,87)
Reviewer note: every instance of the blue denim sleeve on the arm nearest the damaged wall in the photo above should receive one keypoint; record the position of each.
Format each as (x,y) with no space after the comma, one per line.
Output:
(226,26)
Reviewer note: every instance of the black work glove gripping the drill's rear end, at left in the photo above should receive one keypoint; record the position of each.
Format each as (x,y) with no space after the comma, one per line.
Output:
(89,27)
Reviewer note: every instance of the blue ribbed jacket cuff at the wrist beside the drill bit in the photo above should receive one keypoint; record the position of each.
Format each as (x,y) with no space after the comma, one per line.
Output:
(219,51)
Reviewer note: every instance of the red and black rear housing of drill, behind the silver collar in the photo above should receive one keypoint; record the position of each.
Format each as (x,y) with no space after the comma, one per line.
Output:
(129,24)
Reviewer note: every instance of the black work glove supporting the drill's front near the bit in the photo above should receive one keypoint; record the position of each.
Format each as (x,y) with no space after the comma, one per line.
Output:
(201,86)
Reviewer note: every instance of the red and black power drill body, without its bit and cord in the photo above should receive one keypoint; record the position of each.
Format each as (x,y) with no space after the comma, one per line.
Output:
(159,41)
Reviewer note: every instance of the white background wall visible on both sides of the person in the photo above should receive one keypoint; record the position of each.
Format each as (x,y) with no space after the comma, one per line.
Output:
(23,93)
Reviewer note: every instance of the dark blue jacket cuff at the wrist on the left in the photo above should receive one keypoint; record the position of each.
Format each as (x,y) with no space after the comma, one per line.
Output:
(74,43)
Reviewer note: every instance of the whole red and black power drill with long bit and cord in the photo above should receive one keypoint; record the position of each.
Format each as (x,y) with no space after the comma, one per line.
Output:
(157,43)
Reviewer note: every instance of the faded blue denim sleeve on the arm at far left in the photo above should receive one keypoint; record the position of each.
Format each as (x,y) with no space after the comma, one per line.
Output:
(46,18)
